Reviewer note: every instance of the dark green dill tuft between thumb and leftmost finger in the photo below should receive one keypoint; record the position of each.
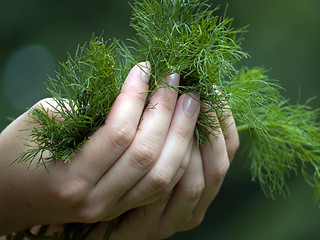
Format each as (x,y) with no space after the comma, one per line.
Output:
(83,92)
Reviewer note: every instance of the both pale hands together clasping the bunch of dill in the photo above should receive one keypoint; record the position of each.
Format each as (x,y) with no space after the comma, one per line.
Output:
(150,168)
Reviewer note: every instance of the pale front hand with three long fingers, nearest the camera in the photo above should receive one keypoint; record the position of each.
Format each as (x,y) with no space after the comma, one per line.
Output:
(126,164)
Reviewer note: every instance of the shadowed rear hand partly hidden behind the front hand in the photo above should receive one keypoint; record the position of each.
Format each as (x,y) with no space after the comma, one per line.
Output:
(185,208)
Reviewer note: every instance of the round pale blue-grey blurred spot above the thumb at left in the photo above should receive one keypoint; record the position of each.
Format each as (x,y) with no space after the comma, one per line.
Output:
(25,73)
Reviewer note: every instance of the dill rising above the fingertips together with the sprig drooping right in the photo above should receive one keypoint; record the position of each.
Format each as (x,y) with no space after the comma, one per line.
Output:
(187,37)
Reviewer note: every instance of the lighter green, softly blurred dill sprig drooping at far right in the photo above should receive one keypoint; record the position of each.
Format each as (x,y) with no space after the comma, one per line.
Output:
(283,138)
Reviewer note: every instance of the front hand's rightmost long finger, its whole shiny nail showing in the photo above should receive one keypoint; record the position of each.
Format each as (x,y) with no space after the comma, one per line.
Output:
(177,142)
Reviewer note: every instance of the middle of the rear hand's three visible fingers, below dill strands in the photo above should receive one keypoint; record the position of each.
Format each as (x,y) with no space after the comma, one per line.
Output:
(215,166)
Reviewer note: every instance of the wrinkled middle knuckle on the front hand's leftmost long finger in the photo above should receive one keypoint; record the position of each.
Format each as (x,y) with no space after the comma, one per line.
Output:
(122,135)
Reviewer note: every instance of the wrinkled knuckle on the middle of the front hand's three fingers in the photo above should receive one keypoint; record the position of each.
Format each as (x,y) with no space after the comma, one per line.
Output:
(143,156)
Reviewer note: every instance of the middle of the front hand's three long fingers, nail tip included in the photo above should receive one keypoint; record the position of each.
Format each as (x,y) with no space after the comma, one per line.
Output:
(146,146)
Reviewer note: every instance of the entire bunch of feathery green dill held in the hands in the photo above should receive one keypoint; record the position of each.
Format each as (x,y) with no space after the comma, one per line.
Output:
(187,37)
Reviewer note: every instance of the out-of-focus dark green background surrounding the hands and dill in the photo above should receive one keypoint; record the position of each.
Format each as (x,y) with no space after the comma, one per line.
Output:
(284,36)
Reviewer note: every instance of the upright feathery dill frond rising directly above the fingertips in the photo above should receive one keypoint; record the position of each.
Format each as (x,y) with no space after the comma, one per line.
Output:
(186,37)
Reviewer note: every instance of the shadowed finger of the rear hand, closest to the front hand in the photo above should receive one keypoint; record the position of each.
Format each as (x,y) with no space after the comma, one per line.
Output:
(178,215)
